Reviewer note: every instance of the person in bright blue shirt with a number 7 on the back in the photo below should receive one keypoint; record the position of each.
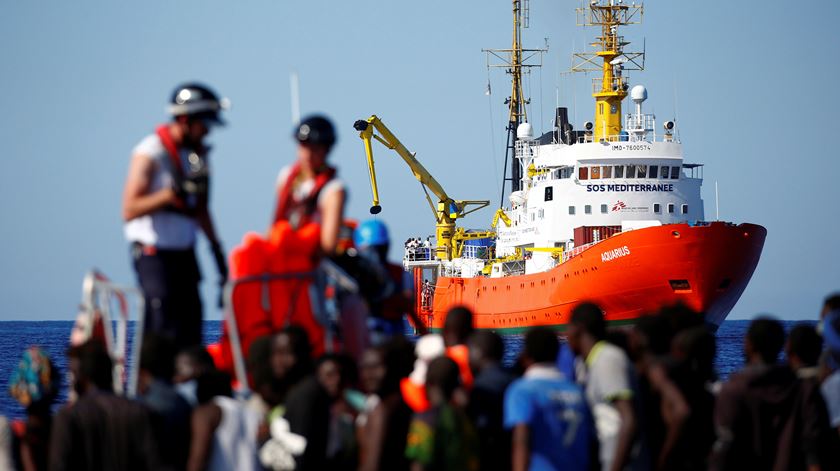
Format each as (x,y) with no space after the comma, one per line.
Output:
(550,420)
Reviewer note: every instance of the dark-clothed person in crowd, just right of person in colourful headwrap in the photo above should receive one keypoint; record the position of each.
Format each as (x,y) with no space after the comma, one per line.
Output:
(100,430)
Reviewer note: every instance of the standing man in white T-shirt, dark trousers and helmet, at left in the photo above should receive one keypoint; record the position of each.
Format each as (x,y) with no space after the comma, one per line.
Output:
(165,202)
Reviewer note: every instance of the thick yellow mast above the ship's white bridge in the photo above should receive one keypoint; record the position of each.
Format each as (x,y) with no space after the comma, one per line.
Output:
(611,88)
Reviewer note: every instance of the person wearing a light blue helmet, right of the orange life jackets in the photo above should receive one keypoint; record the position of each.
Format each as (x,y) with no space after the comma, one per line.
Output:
(393,297)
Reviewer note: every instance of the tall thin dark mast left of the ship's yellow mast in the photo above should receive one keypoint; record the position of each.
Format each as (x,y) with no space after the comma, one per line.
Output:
(515,60)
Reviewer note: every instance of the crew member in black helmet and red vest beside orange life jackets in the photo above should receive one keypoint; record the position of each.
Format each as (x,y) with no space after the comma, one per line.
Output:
(308,190)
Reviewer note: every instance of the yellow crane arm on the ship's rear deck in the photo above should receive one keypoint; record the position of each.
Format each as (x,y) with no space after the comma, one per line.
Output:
(446,210)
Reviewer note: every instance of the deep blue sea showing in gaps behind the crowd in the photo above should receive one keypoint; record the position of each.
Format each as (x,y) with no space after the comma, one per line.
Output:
(54,335)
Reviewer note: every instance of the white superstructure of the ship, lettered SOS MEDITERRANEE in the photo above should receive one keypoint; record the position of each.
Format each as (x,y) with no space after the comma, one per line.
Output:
(631,180)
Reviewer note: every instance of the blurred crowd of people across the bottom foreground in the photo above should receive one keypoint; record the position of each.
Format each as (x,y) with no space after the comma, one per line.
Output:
(642,398)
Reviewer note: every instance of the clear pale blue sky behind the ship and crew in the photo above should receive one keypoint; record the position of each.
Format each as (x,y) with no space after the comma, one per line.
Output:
(750,84)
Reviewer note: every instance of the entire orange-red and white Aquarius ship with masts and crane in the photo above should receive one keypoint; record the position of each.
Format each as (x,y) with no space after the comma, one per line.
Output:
(610,214)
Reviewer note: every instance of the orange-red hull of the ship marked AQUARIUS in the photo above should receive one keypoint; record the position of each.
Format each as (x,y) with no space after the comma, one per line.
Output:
(633,273)
